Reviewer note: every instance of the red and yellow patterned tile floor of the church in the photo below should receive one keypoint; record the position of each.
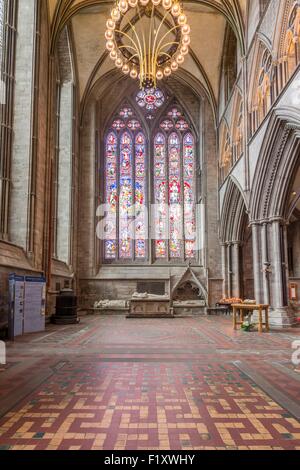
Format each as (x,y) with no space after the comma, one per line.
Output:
(183,384)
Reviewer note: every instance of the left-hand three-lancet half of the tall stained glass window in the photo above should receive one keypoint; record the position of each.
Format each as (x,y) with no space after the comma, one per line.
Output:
(126,224)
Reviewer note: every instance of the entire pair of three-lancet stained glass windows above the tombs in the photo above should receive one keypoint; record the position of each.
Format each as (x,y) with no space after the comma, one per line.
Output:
(135,167)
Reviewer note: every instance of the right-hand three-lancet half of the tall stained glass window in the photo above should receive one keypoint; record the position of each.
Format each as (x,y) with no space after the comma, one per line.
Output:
(175,182)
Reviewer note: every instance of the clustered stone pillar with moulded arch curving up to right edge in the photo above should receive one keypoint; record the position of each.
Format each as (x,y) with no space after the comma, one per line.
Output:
(278,163)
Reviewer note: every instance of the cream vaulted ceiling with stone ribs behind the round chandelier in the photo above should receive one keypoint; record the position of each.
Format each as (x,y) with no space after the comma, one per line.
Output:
(207,18)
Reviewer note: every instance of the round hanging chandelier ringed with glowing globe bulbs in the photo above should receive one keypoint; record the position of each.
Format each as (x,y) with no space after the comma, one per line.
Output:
(148,39)
